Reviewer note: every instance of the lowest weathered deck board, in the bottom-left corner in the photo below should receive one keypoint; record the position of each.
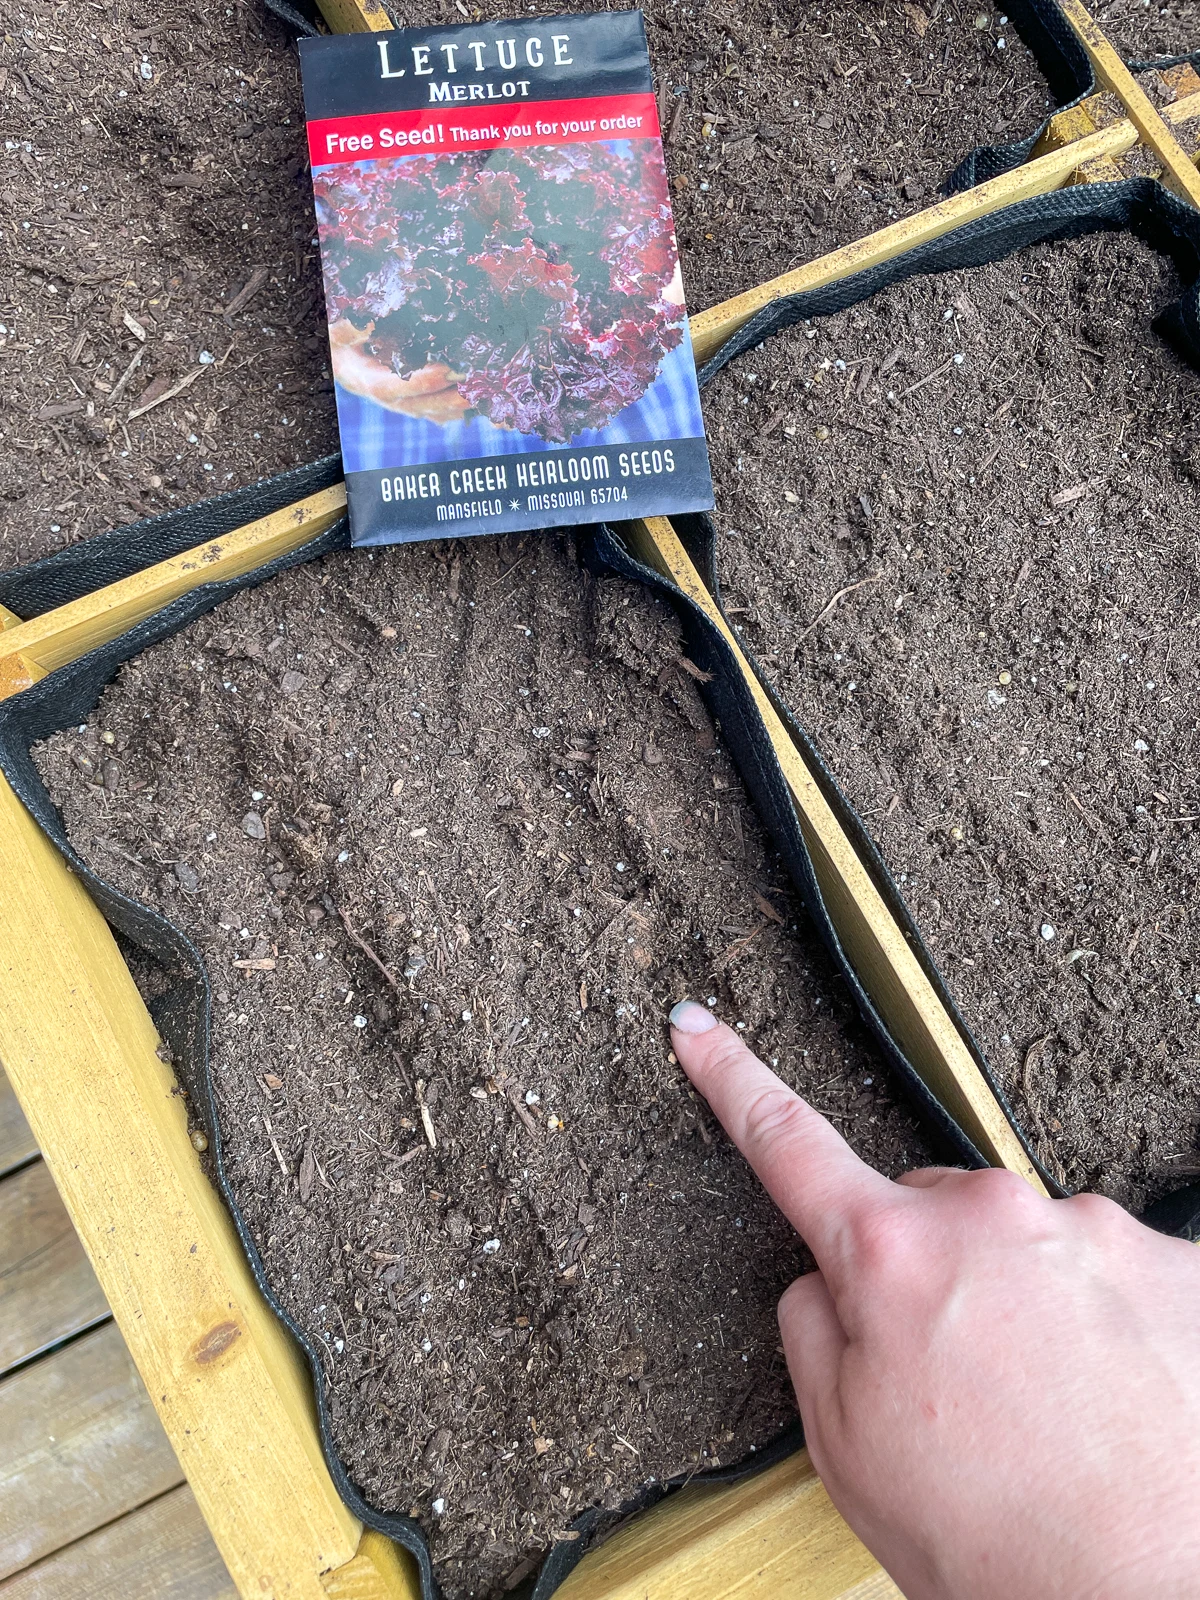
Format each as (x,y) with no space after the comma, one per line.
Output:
(159,1553)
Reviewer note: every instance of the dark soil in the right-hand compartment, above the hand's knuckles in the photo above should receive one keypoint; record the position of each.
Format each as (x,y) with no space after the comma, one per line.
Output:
(958,527)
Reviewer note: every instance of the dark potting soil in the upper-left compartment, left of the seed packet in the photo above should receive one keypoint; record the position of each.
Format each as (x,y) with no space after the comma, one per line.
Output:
(161,212)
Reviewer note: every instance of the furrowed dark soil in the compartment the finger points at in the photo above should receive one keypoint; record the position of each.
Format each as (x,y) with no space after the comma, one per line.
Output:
(452,831)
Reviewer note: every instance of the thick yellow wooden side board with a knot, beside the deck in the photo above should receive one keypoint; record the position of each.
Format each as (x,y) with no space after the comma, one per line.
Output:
(228,1382)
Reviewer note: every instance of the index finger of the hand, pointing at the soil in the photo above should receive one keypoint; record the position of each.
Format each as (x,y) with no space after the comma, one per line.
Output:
(804,1164)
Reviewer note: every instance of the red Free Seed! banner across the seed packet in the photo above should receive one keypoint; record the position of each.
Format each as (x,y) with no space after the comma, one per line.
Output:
(482,127)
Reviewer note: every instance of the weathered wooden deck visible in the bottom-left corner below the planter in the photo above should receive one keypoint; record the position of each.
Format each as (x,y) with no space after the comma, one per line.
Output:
(94,1505)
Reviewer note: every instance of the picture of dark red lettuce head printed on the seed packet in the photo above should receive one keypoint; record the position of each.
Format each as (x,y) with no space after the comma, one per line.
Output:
(537,287)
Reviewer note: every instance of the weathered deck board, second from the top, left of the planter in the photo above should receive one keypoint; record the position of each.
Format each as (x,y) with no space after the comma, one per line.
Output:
(47,1289)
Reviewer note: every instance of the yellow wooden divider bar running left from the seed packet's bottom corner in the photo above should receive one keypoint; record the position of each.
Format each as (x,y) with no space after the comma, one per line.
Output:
(71,631)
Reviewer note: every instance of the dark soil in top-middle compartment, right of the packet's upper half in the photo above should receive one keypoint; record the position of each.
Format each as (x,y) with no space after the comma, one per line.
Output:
(793,129)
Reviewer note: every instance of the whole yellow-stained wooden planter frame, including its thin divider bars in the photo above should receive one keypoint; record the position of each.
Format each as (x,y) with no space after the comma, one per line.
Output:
(79,1049)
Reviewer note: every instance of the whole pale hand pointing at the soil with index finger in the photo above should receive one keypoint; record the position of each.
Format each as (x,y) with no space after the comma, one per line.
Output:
(1001,1391)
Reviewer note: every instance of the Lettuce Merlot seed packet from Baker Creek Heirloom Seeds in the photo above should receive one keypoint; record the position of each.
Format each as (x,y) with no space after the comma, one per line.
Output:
(508,329)
